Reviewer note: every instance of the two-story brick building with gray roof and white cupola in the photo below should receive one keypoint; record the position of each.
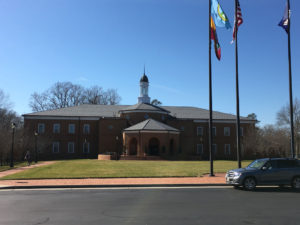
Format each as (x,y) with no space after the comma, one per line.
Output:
(135,131)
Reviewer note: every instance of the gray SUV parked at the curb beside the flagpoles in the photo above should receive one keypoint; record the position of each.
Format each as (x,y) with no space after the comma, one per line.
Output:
(269,171)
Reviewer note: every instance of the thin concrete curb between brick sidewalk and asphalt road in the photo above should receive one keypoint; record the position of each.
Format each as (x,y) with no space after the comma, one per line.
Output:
(110,186)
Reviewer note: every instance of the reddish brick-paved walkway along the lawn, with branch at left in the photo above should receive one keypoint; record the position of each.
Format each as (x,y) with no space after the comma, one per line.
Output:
(218,179)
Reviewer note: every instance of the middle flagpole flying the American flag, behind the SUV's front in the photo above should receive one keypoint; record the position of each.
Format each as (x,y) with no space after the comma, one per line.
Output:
(238,129)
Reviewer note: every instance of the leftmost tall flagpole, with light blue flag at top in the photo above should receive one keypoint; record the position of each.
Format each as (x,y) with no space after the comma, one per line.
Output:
(210,92)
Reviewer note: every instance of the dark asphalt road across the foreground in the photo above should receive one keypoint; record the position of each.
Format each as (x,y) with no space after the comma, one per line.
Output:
(165,206)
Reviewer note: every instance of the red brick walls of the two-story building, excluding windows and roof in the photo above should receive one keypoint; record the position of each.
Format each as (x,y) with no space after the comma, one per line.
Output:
(103,133)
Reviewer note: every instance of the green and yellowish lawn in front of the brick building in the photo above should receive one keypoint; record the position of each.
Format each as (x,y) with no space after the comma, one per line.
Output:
(113,169)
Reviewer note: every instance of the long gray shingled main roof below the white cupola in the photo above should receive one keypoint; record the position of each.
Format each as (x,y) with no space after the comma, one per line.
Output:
(180,112)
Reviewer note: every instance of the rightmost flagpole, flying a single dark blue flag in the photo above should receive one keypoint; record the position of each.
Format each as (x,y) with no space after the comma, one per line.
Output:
(290,86)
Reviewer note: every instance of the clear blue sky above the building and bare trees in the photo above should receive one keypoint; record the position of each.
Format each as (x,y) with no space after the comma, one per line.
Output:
(107,43)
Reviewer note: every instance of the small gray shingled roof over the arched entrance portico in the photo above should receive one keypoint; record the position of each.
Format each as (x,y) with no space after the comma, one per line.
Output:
(151,125)
